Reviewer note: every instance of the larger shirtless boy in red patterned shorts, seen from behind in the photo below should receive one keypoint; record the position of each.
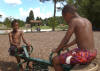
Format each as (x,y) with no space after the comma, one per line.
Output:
(82,28)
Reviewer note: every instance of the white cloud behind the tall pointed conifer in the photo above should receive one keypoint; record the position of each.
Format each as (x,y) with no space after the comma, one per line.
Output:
(36,12)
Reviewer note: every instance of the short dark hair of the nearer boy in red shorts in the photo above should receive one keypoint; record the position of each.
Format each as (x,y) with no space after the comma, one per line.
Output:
(68,8)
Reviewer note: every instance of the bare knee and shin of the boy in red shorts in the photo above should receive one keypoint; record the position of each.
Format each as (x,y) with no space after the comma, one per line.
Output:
(56,63)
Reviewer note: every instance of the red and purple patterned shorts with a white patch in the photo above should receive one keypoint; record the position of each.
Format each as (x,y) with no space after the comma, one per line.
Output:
(77,56)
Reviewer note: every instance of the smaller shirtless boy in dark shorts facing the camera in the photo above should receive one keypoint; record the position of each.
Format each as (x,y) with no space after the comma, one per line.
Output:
(15,40)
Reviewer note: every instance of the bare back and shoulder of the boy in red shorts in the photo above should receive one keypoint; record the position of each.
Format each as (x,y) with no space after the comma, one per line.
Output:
(83,33)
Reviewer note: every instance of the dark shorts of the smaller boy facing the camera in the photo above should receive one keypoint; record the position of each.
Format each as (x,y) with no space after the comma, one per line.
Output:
(13,51)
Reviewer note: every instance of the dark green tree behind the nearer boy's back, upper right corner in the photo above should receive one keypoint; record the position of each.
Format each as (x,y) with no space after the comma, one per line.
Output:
(91,10)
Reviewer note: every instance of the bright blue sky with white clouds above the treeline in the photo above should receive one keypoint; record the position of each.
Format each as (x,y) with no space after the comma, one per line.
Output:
(20,9)
